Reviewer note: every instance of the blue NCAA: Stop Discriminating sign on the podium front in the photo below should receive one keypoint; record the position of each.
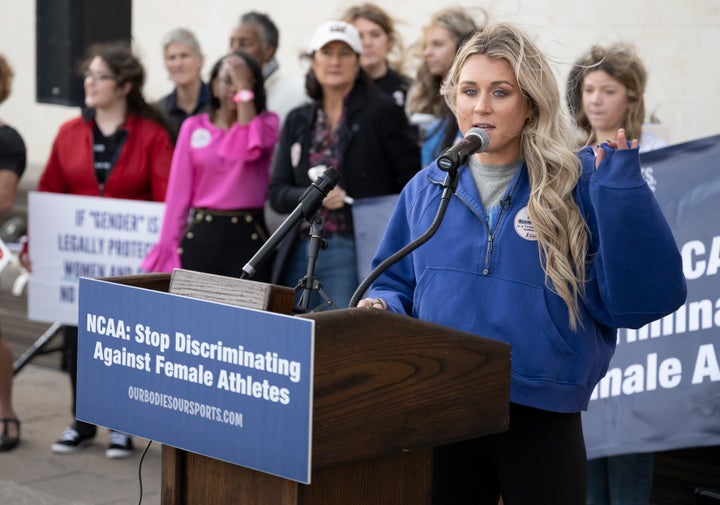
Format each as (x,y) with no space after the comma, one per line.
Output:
(227,382)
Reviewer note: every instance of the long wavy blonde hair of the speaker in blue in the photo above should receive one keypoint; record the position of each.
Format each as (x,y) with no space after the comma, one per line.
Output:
(553,167)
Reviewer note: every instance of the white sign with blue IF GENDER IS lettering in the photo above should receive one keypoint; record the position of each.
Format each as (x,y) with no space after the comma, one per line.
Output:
(80,236)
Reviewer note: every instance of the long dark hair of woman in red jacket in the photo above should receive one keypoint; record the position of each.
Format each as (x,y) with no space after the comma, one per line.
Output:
(125,68)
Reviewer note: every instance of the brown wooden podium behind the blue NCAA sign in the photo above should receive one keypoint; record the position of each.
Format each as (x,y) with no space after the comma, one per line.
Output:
(387,389)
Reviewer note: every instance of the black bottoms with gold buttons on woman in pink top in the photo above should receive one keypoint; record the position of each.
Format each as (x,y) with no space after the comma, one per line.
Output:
(222,242)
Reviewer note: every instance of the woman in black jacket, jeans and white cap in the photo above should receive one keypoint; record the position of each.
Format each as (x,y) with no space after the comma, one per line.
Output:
(353,128)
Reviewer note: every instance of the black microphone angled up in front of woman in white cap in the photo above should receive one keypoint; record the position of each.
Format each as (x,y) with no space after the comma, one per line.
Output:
(309,203)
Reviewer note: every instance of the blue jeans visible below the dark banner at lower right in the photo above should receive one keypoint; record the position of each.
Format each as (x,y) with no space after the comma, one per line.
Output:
(620,480)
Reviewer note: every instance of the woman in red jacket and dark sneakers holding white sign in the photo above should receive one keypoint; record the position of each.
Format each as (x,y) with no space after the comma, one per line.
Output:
(118,148)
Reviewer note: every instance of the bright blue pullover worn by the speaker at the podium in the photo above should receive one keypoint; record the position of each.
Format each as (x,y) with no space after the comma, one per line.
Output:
(491,283)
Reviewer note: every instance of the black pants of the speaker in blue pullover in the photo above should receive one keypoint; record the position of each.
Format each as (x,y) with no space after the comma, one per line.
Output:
(539,460)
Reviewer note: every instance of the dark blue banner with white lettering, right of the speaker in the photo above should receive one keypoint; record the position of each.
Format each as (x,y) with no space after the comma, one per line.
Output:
(662,390)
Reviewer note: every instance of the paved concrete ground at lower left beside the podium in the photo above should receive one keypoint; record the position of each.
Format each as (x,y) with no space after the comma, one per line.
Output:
(33,475)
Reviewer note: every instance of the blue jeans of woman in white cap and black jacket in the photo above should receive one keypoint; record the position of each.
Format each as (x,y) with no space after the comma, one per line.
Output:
(335,269)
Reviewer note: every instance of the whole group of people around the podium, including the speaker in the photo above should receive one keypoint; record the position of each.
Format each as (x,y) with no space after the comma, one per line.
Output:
(231,154)
